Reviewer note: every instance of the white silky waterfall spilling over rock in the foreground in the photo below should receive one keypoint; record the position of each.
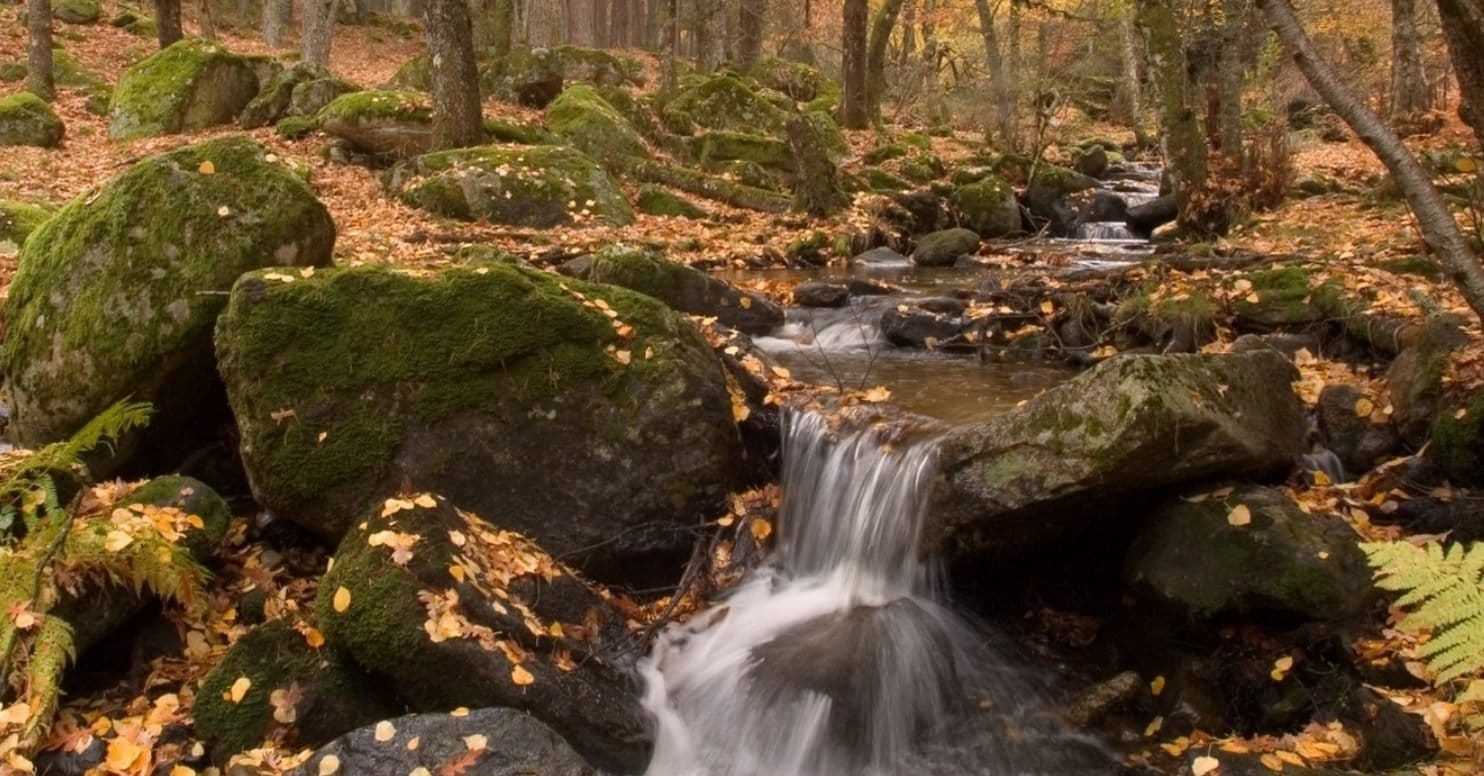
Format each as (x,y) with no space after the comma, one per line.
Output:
(839,658)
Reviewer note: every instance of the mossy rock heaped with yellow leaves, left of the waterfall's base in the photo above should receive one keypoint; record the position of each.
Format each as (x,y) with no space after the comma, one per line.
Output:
(455,612)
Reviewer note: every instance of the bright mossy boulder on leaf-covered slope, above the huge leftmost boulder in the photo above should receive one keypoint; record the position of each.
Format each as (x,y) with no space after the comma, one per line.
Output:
(188,87)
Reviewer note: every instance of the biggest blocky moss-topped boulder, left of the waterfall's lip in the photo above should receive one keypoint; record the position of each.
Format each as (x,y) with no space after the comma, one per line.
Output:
(600,431)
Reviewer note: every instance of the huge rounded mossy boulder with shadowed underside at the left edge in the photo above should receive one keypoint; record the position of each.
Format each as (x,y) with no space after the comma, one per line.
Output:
(116,296)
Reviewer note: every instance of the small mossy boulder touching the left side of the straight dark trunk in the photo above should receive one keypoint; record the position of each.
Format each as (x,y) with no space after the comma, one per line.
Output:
(395,125)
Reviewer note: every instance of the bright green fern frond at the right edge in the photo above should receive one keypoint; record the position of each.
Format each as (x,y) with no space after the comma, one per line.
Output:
(1445,593)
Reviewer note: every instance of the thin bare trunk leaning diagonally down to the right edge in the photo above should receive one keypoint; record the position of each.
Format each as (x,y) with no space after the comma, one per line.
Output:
(1434,219)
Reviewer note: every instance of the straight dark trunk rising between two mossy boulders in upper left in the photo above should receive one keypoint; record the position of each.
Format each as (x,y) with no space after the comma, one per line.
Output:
(455,79)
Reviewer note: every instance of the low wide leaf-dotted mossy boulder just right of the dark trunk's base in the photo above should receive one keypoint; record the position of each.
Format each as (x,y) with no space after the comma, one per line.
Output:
(539,186)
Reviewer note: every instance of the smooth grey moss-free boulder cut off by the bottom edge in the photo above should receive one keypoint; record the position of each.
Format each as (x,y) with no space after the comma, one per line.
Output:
(514,744)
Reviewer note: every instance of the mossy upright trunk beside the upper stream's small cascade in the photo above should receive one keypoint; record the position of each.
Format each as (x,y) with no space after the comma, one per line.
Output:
(1185,146)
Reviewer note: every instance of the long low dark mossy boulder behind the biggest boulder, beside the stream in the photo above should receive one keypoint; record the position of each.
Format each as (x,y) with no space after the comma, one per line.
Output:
(686,289)
